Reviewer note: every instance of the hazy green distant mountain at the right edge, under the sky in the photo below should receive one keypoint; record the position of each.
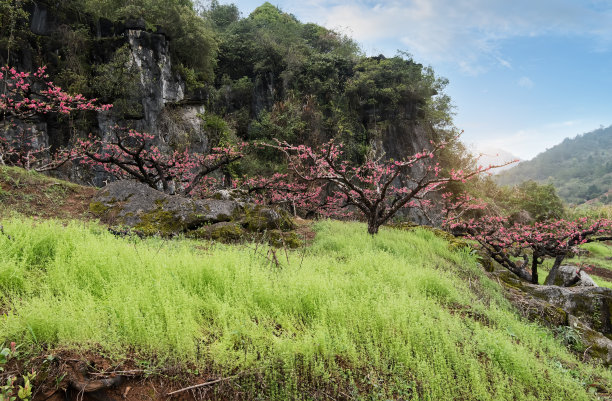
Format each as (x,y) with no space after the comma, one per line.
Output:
(580,168)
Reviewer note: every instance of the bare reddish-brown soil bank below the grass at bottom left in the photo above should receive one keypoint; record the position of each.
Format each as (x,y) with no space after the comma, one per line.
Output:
(89,377)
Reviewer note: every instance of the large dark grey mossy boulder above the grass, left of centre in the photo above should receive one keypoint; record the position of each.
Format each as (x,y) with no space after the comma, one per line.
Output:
(150,211)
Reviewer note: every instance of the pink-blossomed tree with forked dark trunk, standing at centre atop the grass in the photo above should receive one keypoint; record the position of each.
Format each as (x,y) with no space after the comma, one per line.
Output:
(376,189)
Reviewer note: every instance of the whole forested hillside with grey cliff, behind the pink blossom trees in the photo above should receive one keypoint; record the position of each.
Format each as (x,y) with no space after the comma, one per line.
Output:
(198,77)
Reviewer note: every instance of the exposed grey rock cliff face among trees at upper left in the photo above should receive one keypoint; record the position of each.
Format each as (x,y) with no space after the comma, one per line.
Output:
(164,109)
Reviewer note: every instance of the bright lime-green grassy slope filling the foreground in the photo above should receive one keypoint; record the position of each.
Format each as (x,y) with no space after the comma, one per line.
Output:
(398,315)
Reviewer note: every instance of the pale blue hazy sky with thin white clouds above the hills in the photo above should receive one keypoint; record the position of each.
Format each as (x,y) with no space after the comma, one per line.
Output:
(523,74)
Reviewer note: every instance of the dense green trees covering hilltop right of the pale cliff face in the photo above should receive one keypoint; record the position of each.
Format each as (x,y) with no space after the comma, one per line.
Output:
(279,78)
